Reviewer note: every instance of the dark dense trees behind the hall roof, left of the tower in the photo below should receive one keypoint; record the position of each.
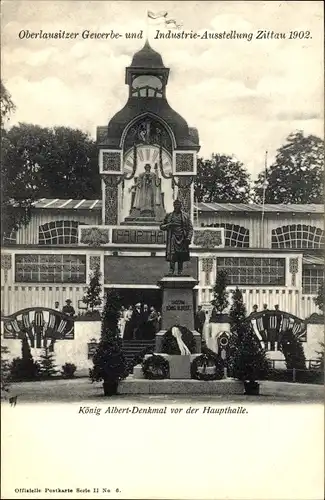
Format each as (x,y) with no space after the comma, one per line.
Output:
(41,162)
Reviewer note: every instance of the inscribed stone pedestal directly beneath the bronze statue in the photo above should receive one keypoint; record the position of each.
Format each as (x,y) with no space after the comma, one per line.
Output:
(177,307)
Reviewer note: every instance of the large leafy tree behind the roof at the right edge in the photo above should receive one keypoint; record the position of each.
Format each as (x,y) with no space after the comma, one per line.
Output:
(296,176)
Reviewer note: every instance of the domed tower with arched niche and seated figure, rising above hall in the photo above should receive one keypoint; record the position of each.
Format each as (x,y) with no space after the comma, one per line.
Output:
(147,152)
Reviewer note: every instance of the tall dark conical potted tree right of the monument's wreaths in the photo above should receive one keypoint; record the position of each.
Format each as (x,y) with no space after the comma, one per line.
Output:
(247,359)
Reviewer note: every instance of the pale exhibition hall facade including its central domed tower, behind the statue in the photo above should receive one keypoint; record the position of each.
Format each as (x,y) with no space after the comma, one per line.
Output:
(274,254)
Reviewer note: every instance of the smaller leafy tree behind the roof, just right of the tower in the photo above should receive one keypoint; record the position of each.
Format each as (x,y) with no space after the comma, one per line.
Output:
(221,179)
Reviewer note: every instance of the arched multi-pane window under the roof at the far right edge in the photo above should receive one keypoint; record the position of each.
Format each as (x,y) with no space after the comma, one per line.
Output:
(297,236)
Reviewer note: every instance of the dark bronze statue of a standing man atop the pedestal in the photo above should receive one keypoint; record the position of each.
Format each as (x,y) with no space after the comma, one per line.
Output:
(179,235)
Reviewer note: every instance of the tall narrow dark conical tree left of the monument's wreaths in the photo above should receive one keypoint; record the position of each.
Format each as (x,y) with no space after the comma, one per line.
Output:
(109,361)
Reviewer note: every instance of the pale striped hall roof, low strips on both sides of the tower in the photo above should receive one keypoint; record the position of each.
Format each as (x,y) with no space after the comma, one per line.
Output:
(56,204)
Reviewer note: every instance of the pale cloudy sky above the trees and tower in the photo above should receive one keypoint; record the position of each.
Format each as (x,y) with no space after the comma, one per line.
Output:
(244,97)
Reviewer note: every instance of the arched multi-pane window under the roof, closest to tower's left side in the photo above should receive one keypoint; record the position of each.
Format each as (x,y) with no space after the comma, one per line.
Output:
(59,232)
